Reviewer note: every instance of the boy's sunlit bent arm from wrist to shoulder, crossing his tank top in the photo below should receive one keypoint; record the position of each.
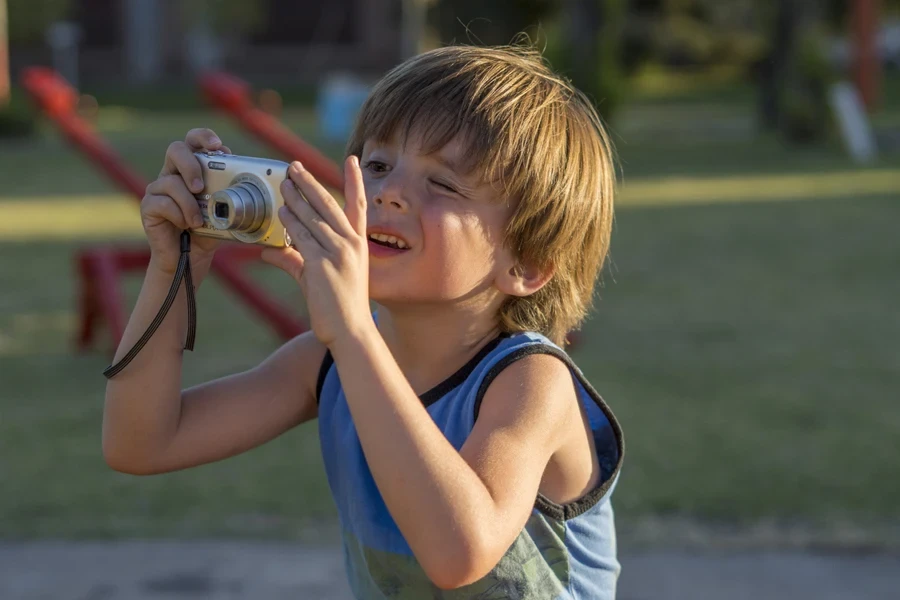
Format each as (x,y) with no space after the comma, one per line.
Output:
(459,511)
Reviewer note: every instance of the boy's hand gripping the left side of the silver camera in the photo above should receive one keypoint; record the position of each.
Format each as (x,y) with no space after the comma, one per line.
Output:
(169,205)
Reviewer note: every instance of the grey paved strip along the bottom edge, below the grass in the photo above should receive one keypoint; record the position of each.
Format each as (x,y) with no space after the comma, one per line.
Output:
(275,571)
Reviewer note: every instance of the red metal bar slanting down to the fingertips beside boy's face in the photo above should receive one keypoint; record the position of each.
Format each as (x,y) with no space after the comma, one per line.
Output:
(232,95)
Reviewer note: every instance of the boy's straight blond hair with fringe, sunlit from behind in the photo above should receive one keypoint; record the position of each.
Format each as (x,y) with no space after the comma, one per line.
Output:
(534,134)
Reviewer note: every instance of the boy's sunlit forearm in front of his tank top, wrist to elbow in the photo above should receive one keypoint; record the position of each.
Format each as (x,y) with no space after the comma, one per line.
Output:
(431,491)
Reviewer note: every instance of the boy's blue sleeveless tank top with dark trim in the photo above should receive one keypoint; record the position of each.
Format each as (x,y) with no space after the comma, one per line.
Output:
(564,552)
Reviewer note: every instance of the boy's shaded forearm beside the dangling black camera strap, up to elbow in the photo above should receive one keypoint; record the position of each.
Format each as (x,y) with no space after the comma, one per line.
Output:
(143,401)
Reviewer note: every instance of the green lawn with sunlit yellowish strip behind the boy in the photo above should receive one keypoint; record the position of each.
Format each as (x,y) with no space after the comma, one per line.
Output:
(746,336)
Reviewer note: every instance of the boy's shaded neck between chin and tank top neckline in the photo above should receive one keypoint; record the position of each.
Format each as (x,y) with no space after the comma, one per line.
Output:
(430,345)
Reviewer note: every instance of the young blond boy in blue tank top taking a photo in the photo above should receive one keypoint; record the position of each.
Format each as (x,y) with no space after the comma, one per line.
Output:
(467,455)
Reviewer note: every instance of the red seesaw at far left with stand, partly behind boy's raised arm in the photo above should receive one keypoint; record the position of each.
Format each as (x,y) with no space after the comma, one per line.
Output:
(99,269)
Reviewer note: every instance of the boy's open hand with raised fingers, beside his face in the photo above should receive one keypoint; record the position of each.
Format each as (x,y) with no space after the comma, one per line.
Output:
(330,253)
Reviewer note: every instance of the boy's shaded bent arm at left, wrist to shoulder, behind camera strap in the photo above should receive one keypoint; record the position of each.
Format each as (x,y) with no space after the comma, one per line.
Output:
(151,426)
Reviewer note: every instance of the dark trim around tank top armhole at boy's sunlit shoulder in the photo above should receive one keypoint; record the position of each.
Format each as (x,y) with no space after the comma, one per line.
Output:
(561,512)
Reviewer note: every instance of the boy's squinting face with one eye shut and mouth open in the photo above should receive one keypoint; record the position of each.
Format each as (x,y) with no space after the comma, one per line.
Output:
(449,227)
